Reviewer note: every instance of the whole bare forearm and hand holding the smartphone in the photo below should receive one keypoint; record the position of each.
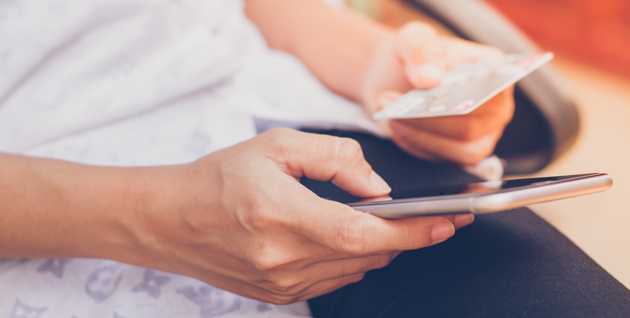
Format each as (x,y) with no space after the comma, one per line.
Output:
(237,219)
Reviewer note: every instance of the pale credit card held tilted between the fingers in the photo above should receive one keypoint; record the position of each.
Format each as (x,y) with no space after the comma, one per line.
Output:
(465,87)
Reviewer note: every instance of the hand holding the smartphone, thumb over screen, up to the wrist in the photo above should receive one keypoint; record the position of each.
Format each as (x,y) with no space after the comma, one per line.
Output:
(240,220)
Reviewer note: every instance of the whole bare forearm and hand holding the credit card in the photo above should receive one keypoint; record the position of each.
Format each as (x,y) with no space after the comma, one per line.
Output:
(371,63)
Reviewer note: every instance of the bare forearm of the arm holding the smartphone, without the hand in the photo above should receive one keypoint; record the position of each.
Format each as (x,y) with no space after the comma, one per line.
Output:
(52,208)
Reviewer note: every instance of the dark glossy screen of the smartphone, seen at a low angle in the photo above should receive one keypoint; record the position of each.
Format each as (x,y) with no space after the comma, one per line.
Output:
(469,189)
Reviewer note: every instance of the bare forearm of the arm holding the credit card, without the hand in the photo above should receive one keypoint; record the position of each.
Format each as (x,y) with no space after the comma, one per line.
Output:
(337,46)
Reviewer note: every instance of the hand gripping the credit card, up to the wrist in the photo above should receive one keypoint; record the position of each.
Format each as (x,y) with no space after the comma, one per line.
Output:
(416,57)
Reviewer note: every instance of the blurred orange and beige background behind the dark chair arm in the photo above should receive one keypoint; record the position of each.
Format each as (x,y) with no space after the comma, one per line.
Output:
(591,40)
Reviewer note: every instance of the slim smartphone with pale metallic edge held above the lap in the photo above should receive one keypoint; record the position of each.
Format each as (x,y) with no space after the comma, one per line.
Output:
(482,197)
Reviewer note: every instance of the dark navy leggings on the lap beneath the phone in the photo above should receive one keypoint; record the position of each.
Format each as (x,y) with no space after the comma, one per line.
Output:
(510,264)
